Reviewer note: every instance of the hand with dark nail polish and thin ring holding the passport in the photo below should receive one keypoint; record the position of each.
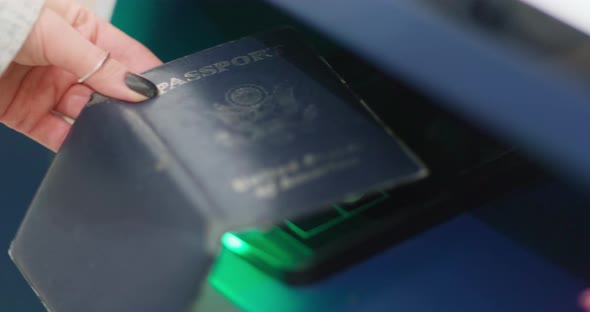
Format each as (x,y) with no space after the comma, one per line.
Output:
(68,41)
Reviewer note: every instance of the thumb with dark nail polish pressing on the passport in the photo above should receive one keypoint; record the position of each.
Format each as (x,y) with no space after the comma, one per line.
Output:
(53,41)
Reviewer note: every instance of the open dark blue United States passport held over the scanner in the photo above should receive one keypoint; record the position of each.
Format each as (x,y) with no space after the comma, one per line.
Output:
(246,133)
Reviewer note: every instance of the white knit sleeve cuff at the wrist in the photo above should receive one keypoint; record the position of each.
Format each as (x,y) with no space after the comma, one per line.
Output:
(17,18)
